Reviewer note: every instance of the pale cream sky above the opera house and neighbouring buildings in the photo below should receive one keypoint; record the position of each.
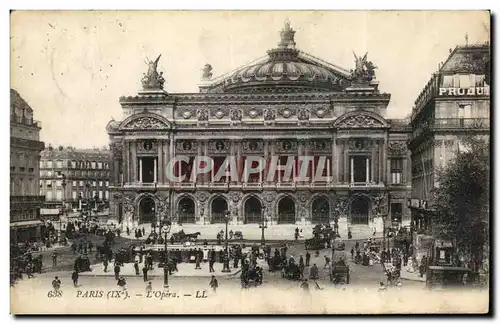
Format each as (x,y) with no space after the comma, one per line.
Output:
(72,66)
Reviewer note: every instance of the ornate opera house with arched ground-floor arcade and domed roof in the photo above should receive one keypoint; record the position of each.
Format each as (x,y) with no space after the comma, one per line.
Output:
(288,104)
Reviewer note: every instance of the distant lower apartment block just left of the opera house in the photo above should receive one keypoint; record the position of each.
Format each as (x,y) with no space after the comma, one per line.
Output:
(74,178)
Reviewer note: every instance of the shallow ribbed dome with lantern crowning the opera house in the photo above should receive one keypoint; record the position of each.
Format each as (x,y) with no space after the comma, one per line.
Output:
(285,69)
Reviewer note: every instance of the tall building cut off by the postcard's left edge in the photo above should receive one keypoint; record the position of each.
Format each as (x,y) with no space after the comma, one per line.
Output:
(25,148)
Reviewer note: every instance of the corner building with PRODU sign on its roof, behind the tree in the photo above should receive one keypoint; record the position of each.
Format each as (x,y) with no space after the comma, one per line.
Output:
(454,103)
